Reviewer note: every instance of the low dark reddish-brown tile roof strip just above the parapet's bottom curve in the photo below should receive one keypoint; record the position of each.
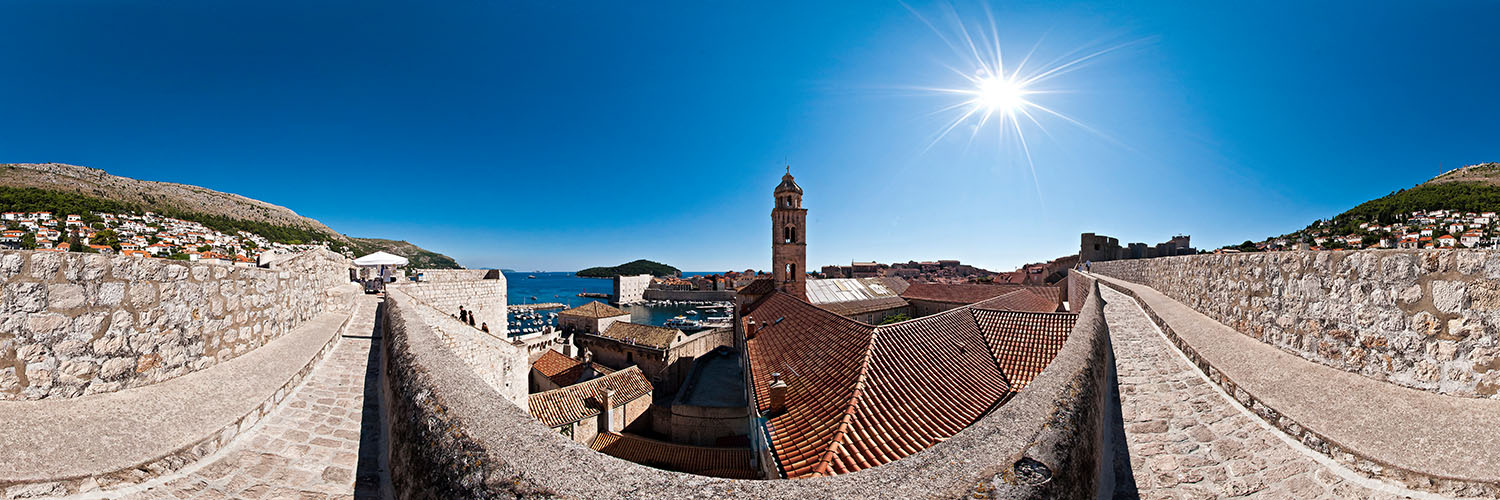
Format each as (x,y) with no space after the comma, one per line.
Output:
(733,463)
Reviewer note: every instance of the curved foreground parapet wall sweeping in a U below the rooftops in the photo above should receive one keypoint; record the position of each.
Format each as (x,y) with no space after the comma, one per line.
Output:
(455,439)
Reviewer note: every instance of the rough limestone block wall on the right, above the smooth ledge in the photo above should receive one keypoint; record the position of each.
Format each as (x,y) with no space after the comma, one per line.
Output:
(1418,319)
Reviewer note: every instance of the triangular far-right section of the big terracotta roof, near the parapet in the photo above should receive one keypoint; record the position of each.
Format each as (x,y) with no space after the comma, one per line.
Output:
(1024,343)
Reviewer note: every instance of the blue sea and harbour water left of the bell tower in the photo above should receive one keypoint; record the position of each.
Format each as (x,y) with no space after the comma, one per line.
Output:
(565,288)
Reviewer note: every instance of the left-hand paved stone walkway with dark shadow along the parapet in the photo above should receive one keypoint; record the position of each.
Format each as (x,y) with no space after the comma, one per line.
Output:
(311,447)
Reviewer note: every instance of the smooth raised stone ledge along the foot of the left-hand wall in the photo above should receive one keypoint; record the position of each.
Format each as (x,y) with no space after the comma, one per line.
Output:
(107,441)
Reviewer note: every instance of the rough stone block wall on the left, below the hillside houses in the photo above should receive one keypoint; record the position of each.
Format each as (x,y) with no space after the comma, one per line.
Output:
(74,325)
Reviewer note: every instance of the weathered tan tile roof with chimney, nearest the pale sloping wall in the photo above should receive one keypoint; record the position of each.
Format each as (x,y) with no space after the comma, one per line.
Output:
(583,402)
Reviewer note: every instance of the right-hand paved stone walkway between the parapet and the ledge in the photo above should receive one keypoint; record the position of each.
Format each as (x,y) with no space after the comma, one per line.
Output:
(1190,442)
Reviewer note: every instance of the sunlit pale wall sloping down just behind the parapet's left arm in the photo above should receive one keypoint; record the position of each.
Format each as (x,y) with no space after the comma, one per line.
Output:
(502,364)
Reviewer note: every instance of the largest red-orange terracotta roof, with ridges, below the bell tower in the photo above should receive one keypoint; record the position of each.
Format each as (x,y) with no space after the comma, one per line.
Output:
(862,396)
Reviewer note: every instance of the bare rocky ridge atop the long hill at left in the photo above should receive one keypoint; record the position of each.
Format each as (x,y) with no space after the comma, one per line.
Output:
(199,203)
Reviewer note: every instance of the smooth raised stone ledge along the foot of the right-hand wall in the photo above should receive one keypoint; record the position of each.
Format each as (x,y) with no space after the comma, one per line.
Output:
(1421,441)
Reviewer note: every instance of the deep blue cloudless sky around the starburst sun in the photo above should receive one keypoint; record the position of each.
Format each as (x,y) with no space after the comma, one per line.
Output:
(563,134)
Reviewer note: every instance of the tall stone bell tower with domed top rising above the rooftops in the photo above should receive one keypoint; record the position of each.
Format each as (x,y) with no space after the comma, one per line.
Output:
(790,238)
